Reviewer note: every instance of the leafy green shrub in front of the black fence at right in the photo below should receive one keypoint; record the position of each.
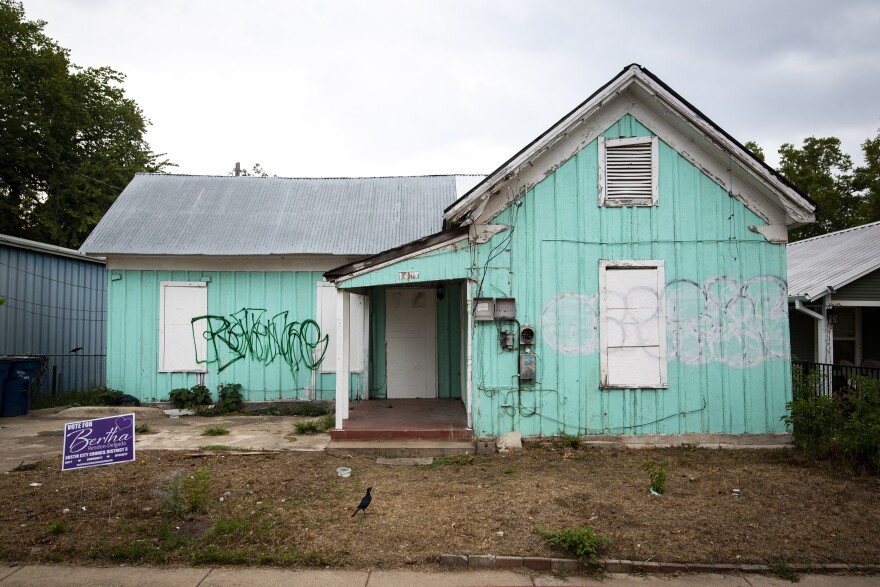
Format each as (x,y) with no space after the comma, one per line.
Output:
(845,428)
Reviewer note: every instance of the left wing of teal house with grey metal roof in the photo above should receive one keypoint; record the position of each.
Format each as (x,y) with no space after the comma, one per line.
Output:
(219,279)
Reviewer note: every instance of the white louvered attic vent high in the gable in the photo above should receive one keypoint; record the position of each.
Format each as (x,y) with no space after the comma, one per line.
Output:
(628,171)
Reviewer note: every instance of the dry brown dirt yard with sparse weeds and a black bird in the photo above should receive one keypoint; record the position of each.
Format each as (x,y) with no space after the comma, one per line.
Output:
(292,509)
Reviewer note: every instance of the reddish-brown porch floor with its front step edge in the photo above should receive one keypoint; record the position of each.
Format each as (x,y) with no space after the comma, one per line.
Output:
(405,419)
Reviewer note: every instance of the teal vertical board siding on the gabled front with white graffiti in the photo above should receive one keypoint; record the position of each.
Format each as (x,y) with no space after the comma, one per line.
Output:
(720,379)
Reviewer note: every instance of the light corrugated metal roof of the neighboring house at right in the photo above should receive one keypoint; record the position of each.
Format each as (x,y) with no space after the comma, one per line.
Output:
(833,259)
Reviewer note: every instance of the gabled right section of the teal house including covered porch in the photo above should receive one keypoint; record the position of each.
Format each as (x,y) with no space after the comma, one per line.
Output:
(624,273)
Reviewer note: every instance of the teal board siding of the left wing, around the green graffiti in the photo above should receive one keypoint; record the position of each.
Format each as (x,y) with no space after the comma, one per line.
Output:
(133,337)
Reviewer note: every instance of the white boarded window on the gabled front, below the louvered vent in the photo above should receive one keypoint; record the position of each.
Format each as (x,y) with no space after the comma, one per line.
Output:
(632,333)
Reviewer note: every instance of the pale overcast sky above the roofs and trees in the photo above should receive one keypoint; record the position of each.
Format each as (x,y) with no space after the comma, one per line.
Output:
(326,89)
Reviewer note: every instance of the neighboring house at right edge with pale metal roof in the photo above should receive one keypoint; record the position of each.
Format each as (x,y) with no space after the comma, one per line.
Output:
(834,291)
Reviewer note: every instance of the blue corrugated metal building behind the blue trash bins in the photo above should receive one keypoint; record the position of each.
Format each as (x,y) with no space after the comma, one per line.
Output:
(55,307)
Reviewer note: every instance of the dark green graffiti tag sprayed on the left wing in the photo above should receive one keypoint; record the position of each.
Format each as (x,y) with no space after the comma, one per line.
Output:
(248,334)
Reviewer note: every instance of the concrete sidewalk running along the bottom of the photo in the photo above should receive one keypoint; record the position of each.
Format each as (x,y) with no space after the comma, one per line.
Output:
(40,576)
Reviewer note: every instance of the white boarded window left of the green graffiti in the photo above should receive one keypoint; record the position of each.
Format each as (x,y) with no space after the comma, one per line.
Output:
(182,344)
